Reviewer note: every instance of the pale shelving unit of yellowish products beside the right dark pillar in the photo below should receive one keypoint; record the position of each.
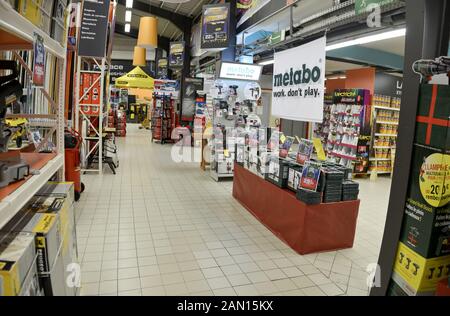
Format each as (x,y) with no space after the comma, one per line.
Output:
(385,114)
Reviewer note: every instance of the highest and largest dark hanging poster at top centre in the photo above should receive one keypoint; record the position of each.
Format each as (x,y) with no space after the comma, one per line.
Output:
(215,26)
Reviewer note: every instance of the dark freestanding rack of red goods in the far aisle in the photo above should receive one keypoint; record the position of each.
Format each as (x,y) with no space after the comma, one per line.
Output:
(163,118)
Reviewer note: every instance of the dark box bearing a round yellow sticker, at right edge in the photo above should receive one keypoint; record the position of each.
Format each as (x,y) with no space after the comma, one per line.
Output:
(427,214)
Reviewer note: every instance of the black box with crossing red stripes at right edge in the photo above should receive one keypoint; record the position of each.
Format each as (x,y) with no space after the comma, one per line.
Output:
(433,124)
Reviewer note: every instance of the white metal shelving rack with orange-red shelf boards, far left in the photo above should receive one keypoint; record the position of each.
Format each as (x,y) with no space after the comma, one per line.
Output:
(17,34)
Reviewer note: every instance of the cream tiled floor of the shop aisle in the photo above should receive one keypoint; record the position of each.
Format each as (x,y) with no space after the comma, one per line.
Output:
(165,228)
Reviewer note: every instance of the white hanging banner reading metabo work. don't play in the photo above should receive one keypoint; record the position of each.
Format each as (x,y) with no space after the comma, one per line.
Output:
(298,82)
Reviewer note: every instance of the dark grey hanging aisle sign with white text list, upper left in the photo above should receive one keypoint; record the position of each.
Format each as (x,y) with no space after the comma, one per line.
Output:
(94,28)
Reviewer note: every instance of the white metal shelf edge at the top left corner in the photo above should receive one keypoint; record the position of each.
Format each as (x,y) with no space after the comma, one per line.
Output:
(15,24)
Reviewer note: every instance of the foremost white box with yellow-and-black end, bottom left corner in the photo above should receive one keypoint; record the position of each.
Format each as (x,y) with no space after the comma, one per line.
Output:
(17,264)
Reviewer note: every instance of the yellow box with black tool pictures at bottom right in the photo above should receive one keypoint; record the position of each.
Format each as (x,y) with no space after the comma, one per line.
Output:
(416,275)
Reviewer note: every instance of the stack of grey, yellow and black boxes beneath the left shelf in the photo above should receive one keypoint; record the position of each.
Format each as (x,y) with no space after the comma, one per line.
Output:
(44,246)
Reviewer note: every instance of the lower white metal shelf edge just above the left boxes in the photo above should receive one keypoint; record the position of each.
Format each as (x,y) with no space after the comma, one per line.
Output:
(14,202)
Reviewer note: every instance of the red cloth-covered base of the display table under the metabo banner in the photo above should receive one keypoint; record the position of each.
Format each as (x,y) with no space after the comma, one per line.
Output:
(305,228)
